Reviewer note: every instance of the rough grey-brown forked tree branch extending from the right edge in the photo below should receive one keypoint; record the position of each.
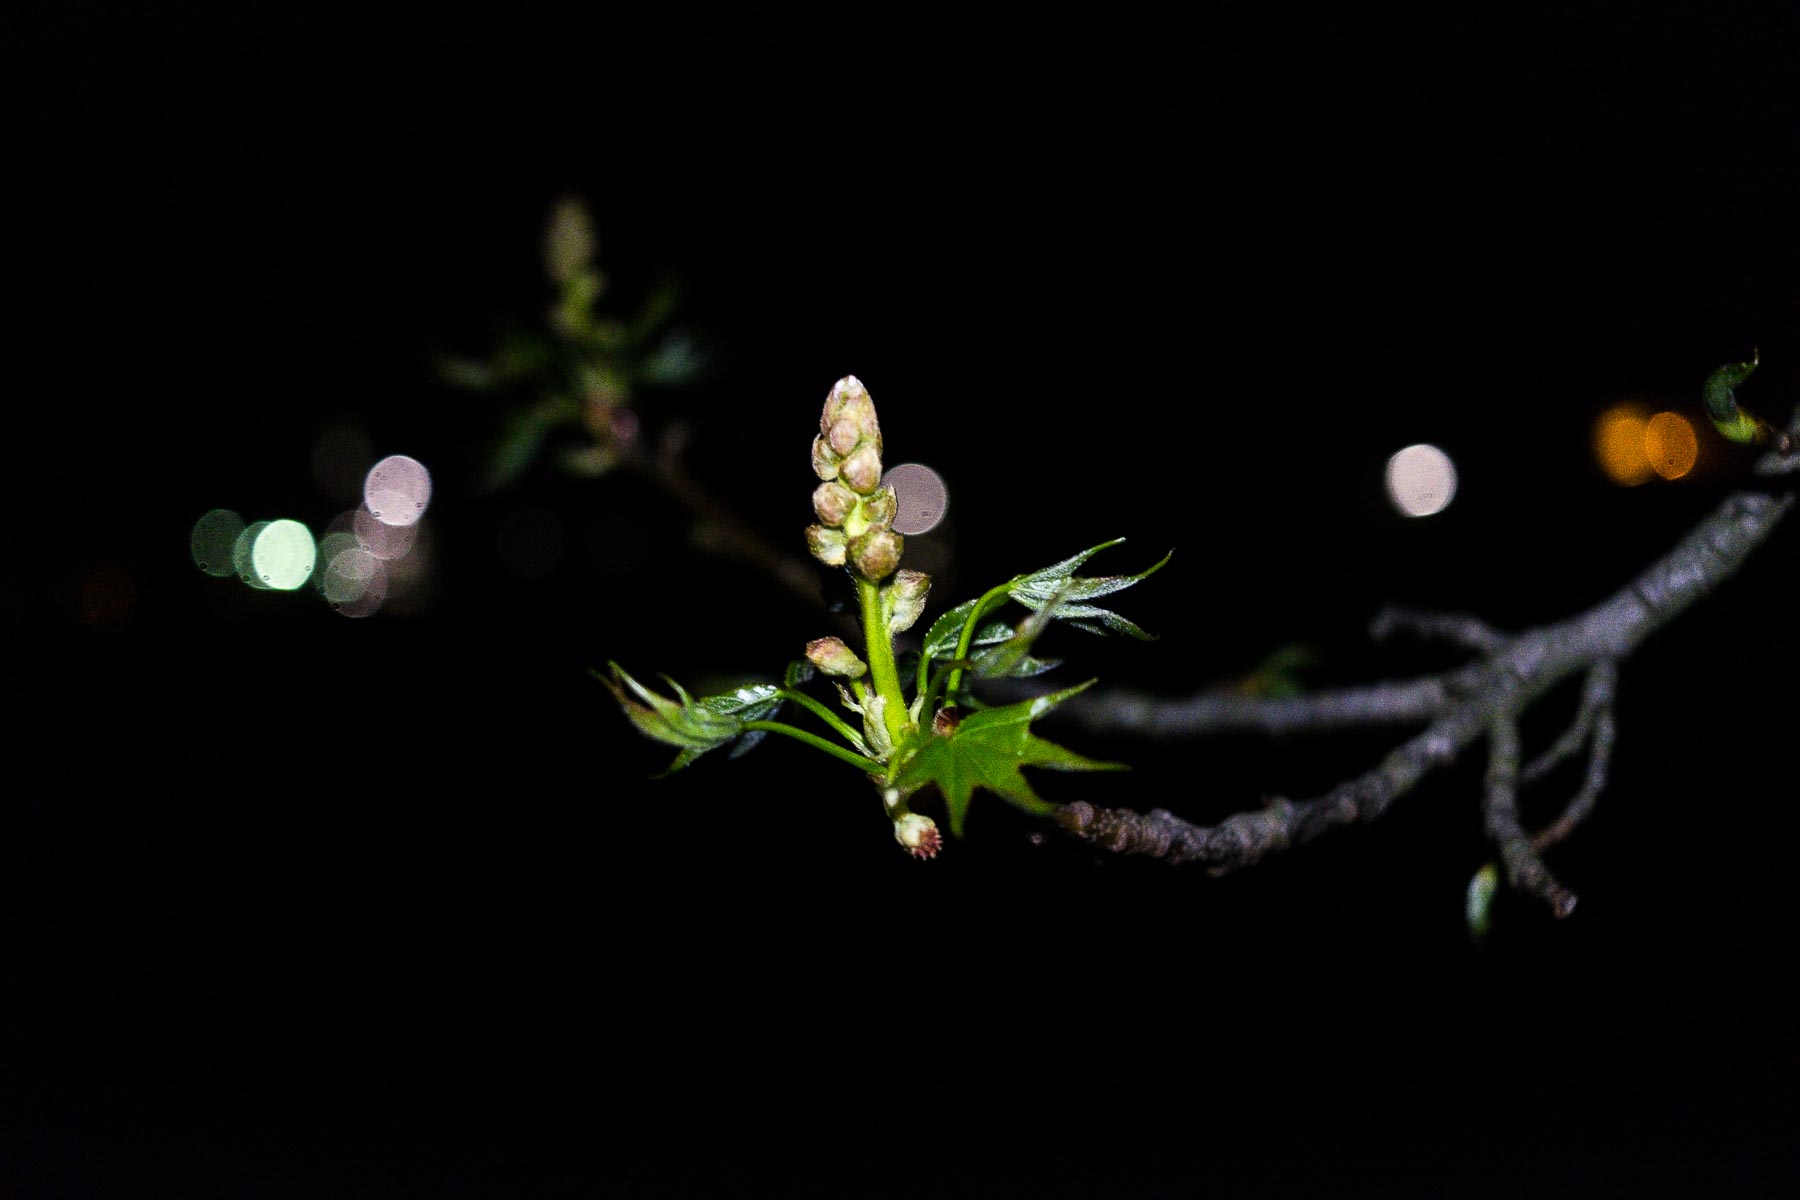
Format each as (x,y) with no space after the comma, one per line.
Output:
(1480,701)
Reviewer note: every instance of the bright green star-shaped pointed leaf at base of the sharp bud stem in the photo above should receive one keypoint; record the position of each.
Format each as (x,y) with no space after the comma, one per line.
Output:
(989,749)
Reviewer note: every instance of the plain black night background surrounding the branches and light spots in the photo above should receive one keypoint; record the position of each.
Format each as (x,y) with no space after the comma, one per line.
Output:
(303,906)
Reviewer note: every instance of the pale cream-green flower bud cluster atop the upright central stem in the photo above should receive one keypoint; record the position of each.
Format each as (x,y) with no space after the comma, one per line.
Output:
(856,512)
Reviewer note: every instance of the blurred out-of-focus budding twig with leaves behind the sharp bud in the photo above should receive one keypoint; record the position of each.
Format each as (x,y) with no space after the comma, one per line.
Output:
(575,391)
